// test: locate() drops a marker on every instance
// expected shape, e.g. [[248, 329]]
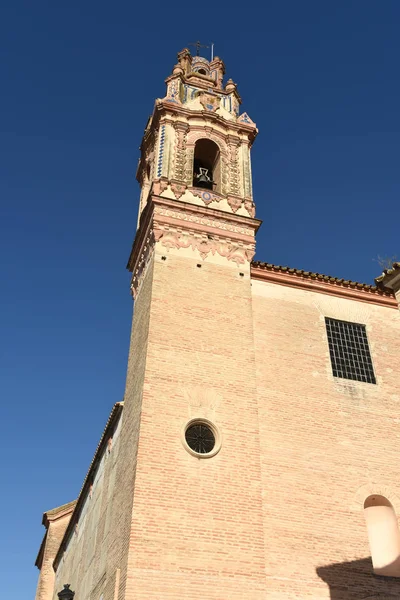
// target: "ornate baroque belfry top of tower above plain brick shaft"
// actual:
[[195, 162]]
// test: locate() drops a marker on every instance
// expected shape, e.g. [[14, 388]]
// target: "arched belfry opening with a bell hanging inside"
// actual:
[[207, 165]]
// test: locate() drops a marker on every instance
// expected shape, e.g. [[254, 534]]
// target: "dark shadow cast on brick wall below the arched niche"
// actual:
[[355, 580]]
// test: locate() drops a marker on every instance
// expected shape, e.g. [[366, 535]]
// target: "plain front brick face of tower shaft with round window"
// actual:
[[197, 523]]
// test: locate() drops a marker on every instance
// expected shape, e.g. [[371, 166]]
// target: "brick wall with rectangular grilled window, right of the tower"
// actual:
[[326, 444]]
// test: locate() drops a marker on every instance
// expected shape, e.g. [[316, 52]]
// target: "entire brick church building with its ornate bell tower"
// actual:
[[255, 453]]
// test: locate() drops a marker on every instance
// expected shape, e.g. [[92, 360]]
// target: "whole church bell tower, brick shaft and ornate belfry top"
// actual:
[[190, 426]]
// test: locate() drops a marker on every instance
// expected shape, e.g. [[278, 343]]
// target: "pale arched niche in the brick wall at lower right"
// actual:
[[383, 535]]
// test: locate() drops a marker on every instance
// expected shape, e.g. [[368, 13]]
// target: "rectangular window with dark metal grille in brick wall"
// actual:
[[349, 351]]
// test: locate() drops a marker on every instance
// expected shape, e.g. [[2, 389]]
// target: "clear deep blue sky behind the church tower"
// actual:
[[78, 82]]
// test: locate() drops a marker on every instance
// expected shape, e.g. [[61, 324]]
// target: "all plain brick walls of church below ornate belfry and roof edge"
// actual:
[[278, 512]]
